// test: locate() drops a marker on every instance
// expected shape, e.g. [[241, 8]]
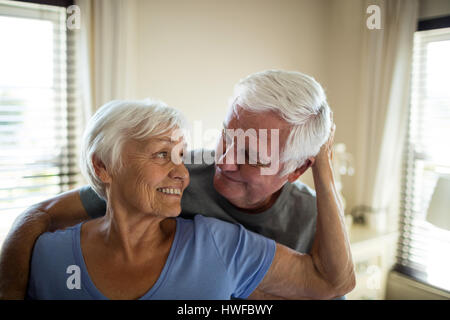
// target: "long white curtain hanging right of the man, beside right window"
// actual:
[[384, 98]]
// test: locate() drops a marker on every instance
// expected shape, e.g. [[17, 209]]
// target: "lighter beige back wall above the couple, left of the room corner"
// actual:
[[193, 52]]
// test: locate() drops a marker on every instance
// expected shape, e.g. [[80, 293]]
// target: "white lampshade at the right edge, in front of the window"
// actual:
[[439, 210]]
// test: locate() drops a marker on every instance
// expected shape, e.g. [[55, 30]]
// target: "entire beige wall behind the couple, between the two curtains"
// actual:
[[191, 53]]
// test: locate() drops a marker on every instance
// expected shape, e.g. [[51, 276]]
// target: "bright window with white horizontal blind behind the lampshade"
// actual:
[[424, 249]]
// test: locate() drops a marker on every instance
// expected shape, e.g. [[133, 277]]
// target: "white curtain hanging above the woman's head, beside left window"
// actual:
[[107, 51]]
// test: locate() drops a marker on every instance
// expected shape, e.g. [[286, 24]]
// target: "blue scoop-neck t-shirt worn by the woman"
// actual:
[[209, 259]]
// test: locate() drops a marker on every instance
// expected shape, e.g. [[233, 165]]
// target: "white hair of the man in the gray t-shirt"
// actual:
[[298, 99]]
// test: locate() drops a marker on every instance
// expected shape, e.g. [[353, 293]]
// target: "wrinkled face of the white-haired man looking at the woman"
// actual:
[[243, 184]]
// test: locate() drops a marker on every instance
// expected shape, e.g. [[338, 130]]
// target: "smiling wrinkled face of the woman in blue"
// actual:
[[150, 181]]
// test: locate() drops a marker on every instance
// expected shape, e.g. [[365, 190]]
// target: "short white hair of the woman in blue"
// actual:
[[117, 122]]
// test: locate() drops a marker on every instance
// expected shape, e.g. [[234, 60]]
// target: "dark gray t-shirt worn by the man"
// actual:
[[290, 221]]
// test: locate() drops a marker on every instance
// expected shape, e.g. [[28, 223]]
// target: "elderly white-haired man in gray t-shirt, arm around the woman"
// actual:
[[274, 205]]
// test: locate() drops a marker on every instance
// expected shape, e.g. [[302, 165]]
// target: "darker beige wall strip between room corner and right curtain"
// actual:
[[344, 24]]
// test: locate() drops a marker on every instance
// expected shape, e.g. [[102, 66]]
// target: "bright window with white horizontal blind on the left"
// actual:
[[38, 113]]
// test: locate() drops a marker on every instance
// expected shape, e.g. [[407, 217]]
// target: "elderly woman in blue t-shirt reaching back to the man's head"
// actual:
[[141, 250]]
